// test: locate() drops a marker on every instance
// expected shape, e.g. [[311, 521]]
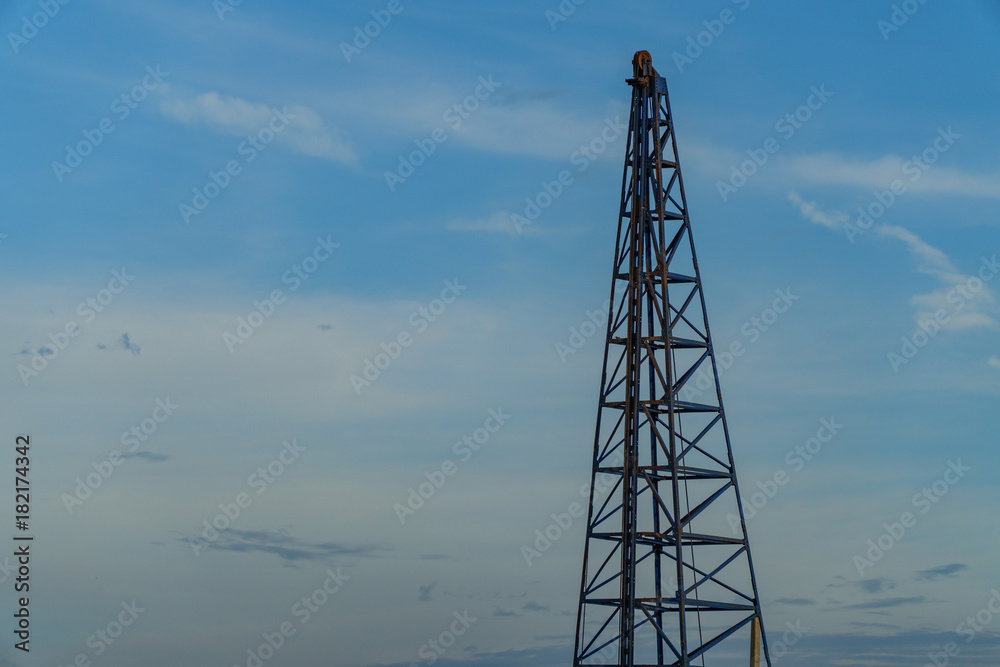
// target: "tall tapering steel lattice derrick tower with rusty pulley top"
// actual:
[[667, 573]]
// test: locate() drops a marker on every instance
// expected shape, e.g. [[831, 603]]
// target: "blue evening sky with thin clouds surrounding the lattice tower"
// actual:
[[488, 308]]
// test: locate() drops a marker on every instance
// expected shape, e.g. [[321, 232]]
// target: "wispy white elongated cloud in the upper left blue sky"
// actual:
[[306, 132]]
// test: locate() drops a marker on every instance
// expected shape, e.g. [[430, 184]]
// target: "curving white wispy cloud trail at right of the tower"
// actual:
[[977, 305]]
